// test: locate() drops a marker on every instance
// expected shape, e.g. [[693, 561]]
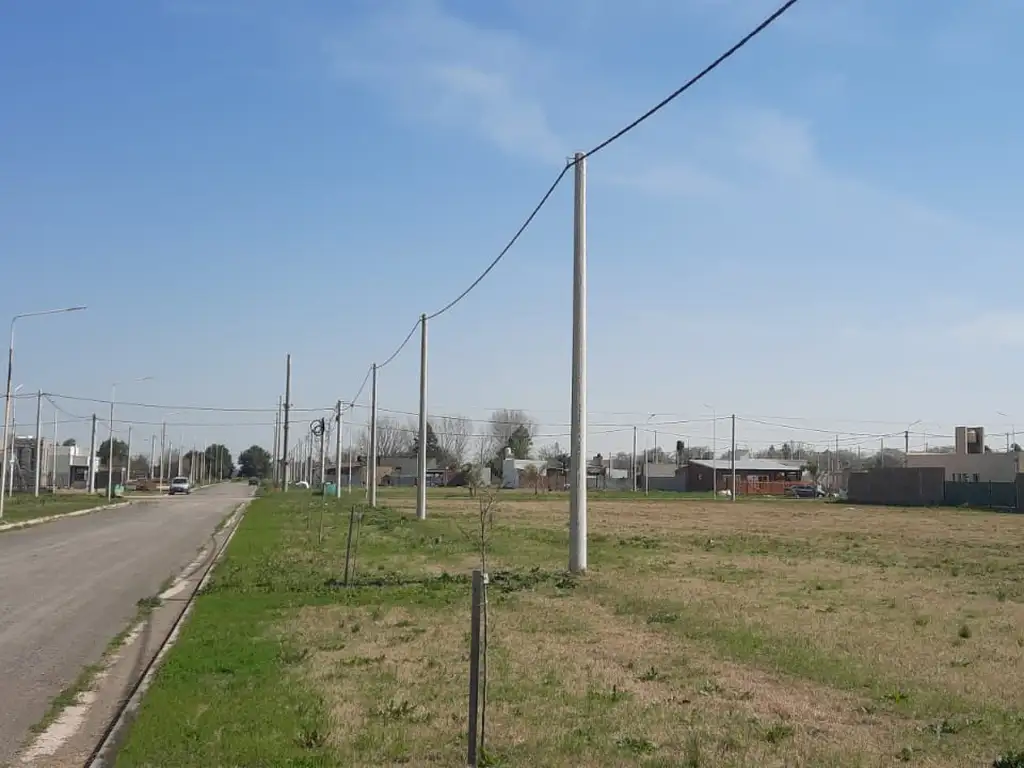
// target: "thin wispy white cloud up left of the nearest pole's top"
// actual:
[[438, 67]]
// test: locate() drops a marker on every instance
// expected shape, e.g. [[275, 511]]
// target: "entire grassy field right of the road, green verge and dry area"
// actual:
[[706, 634]]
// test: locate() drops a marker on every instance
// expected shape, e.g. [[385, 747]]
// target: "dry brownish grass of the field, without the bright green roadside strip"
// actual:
[[706, 634]]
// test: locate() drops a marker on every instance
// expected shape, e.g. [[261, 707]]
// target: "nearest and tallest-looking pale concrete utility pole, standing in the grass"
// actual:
[[578, 440]]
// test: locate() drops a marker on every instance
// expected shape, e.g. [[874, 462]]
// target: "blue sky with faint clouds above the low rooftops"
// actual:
[[824, 232]]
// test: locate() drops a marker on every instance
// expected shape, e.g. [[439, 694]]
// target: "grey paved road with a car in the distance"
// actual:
[[68, 587]]
